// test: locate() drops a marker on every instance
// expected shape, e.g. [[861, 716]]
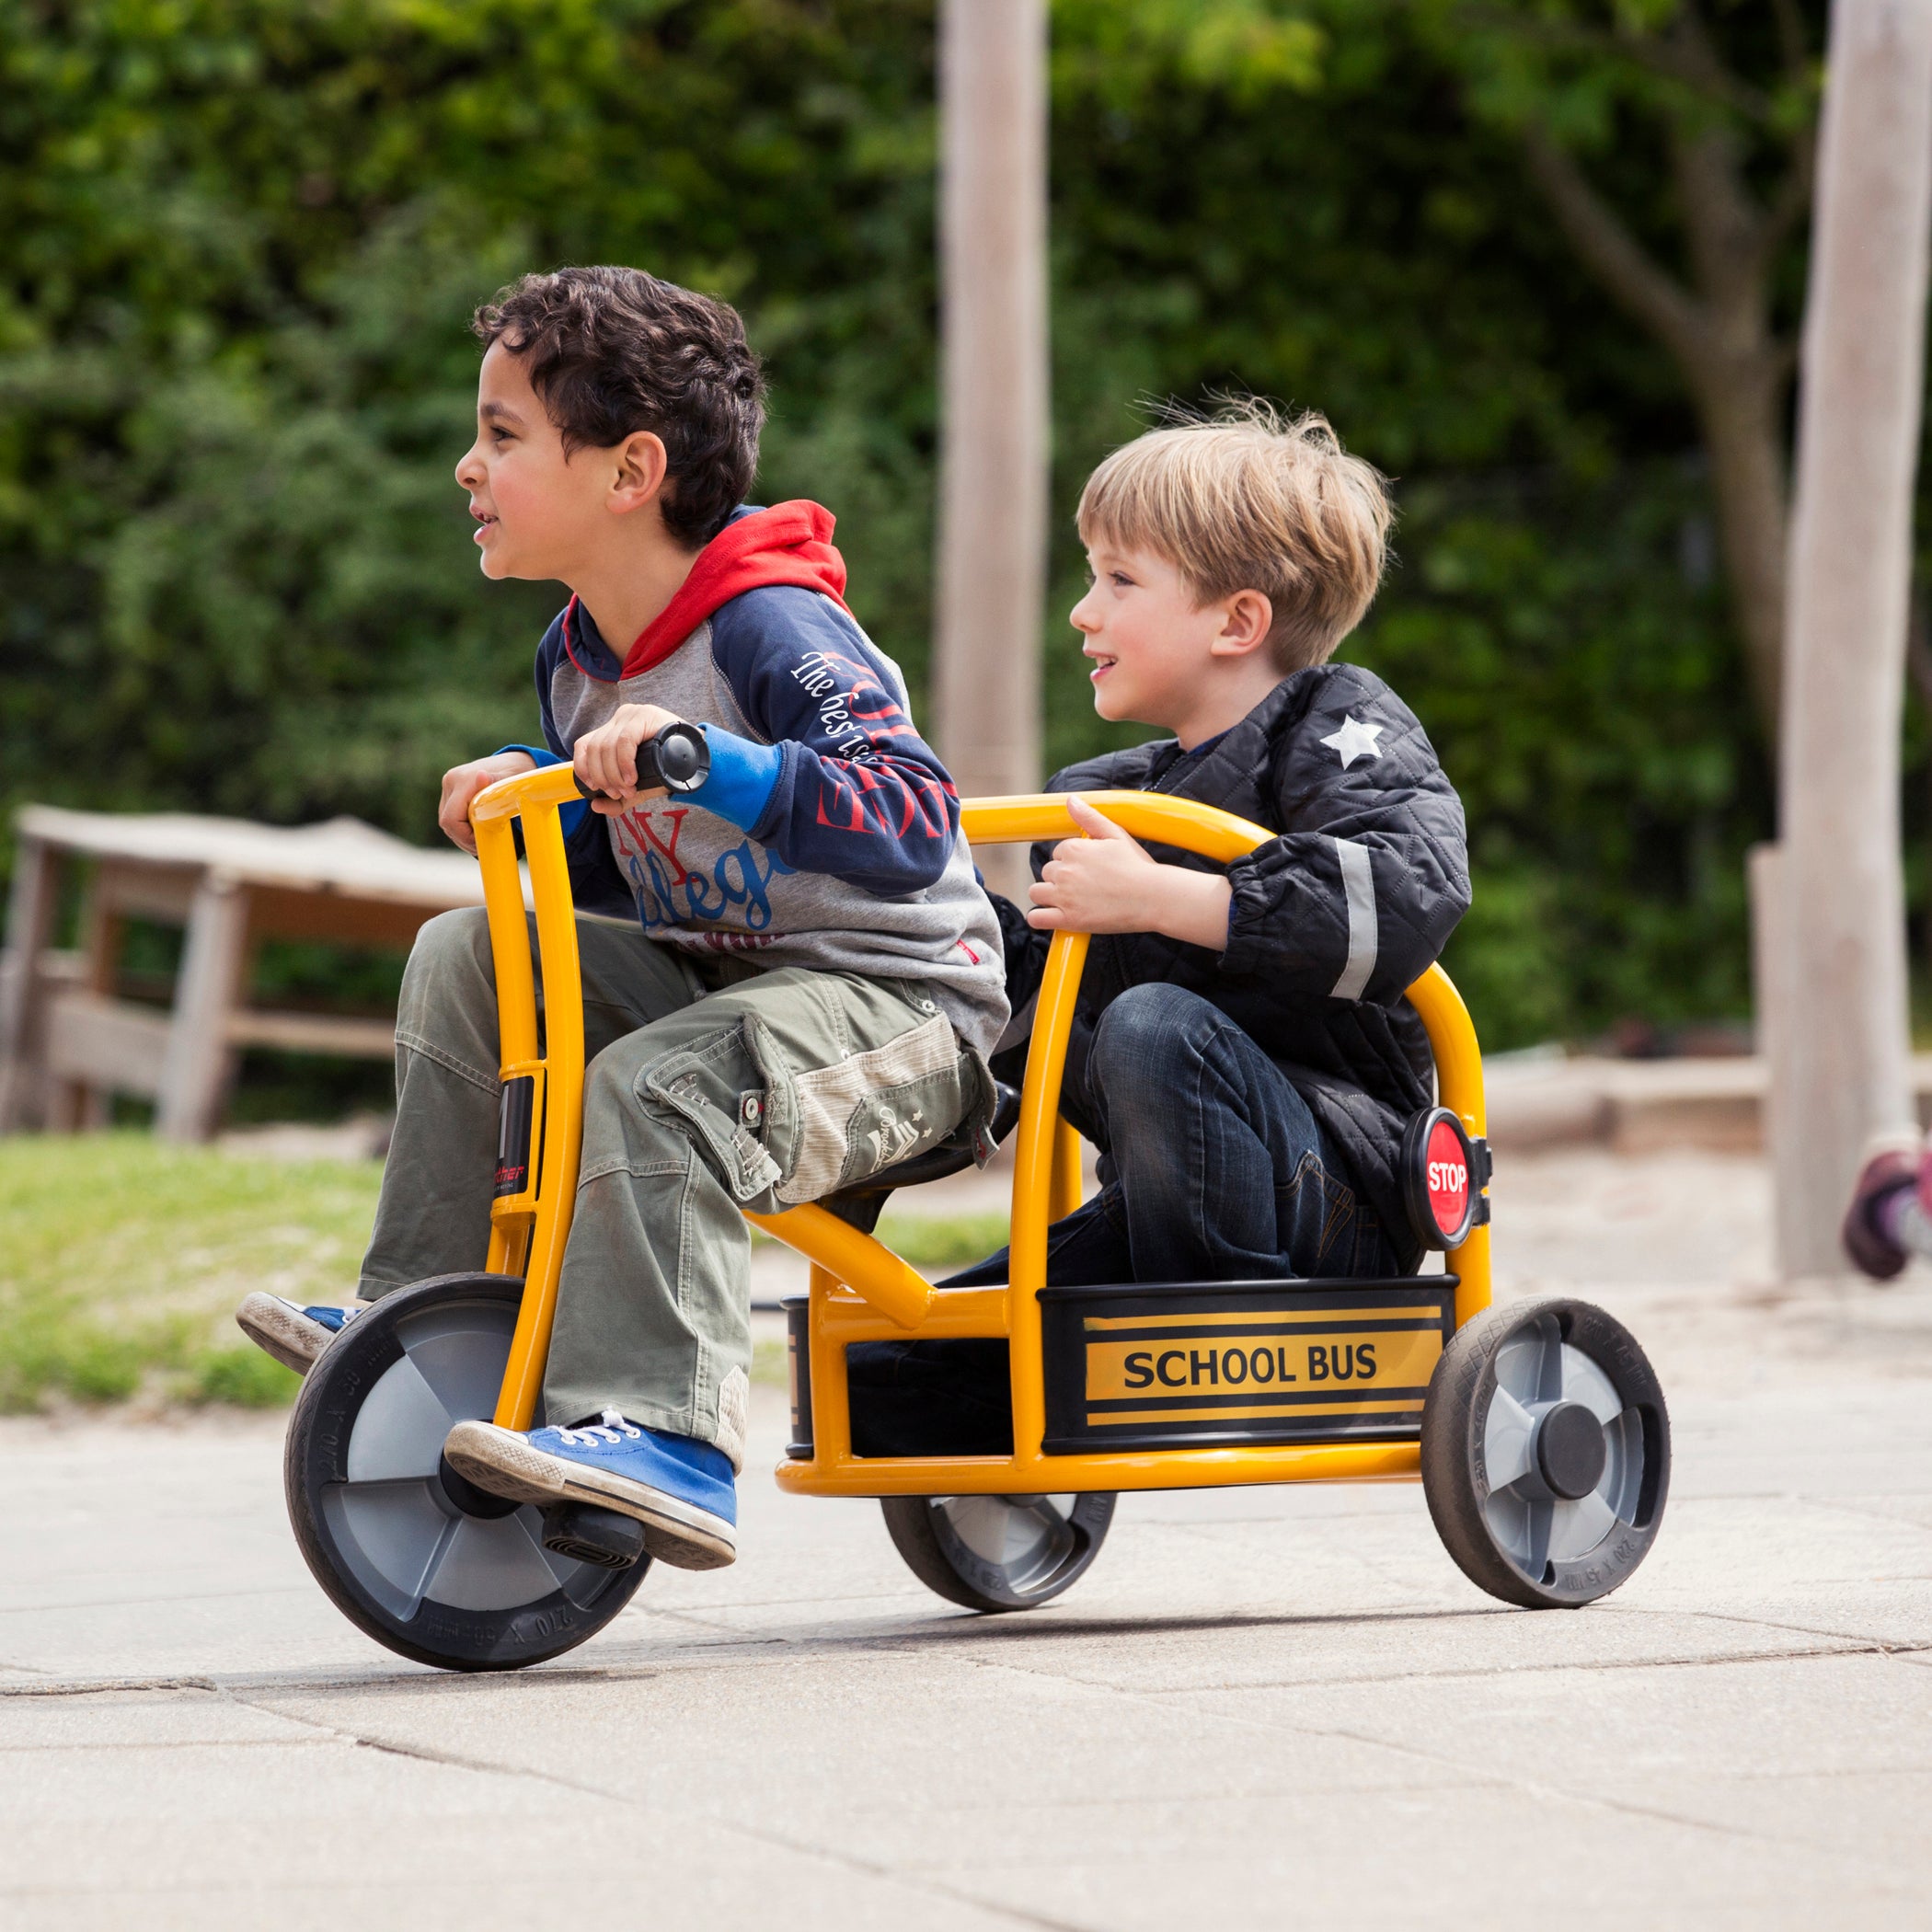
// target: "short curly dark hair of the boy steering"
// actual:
[[617, 351]]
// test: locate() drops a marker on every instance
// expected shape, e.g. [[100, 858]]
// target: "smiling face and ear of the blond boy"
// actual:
[[1149, 640]]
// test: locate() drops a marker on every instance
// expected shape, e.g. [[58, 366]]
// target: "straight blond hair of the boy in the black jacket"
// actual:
[[1253, 501]]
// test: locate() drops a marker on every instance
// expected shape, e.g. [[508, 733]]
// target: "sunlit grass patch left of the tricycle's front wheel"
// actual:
[[125, 1261]]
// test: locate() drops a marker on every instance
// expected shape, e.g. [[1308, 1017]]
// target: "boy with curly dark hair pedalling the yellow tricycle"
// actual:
[[807, 980]]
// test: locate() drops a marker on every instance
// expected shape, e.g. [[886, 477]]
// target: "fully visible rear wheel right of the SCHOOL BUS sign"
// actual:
[[1547, 1452]]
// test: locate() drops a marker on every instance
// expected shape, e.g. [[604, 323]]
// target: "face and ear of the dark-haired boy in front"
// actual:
[[540, 513]]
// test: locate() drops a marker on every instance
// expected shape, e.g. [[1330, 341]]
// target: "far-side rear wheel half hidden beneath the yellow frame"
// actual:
[[1000, 1552]]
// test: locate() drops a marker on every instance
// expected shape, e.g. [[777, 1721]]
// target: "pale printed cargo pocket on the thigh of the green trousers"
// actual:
[[841, 1123]]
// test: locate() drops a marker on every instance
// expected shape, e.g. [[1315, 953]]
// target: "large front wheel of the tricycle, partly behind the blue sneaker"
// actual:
[[424, 1562]]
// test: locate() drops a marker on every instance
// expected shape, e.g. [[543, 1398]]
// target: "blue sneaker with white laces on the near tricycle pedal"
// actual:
[[681, 1491]]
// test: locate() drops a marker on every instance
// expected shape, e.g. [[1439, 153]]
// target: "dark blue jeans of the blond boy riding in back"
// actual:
[[1216, 1170]]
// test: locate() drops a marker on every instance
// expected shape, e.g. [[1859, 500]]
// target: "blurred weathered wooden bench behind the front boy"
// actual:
[[69, 1040]]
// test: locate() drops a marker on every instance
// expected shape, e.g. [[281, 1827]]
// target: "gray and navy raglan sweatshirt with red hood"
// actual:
[[828, 834]]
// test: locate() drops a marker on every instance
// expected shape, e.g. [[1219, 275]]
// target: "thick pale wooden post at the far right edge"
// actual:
[[1842, 1050]]
